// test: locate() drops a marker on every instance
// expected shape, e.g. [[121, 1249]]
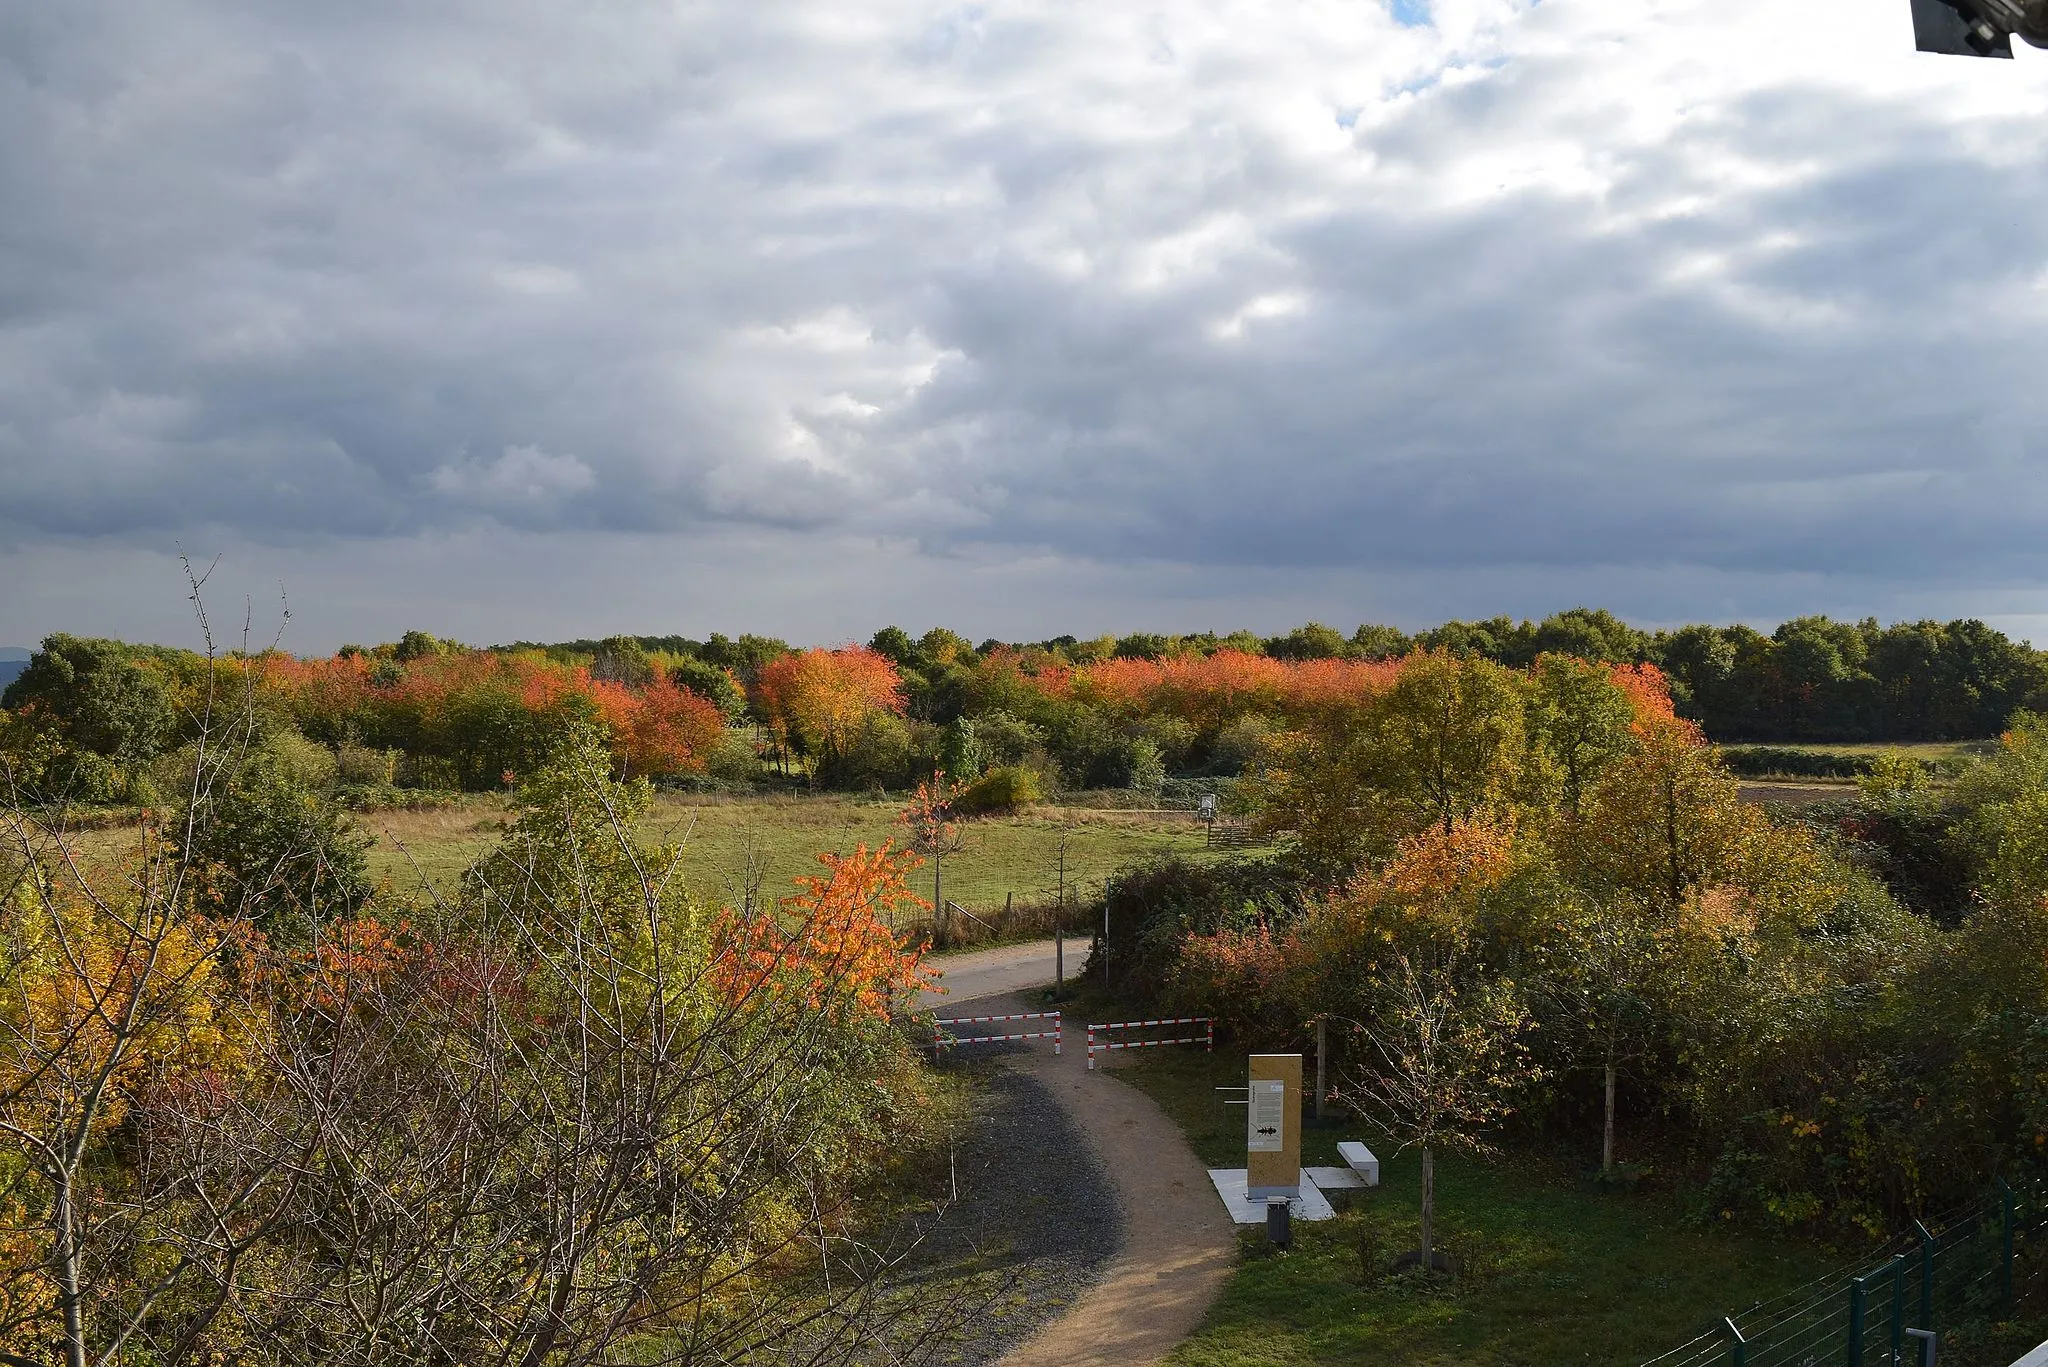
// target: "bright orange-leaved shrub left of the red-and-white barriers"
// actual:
[[835, 940]]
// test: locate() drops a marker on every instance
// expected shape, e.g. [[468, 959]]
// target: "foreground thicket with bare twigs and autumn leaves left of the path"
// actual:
[[570, 1114]]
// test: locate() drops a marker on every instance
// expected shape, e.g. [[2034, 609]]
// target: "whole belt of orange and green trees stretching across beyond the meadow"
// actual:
[[116, 722]]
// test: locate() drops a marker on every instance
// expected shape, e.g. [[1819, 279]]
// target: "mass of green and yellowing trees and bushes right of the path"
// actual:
[[1824, 1020]]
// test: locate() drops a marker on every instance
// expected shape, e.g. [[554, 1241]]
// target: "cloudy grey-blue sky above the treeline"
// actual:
[[517, 319]]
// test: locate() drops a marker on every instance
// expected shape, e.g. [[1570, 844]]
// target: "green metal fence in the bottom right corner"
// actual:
[[1949, 1270]]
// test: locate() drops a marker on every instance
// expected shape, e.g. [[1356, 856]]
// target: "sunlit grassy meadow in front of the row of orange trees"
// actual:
[[783, 837]]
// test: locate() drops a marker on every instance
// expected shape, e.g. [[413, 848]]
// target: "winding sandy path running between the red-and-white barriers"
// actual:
[[1179, 1243]]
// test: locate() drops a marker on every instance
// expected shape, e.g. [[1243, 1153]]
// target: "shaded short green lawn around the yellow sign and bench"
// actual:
[[1555, 1270]]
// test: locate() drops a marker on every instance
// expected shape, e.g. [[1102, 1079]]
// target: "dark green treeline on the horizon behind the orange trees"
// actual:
[[1814, 679]]
